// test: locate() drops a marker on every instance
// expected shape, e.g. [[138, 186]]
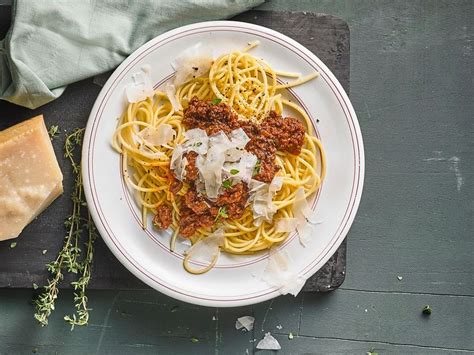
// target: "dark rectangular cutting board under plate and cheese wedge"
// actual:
[[326, 36]]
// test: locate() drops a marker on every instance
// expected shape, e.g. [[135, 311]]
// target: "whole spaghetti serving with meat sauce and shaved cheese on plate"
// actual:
[[221, 156]]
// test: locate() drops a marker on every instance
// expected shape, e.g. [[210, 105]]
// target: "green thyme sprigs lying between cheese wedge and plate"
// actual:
[[69, 258]]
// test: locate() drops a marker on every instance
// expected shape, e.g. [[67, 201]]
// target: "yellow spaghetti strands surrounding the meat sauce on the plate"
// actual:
[[150, 131]]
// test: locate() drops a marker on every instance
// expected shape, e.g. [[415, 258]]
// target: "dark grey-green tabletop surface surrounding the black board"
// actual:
[[412, 88]]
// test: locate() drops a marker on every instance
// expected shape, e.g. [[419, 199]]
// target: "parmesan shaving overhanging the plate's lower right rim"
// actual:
[[279, 273]]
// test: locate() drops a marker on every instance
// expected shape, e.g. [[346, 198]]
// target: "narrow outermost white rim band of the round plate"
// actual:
[[310, 269]]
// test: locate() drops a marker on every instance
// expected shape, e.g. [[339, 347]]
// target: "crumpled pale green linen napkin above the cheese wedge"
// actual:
[[51, 44]]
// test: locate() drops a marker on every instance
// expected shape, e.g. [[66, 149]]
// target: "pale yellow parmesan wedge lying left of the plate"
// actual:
[[30, 178]]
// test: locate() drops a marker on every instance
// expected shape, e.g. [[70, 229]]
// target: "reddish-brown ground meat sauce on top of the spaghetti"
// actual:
[[275, 133]]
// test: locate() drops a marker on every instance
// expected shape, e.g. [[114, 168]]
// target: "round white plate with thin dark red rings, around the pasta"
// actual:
[[235, 280]]
